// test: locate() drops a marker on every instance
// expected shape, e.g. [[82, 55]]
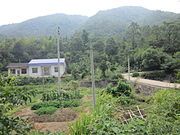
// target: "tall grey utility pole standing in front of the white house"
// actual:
[[58, 53]]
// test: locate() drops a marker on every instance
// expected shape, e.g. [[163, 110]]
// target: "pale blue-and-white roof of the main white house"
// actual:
[[46, 61]]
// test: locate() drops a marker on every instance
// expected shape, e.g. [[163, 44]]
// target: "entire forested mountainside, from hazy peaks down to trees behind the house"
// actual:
[[150, 43]]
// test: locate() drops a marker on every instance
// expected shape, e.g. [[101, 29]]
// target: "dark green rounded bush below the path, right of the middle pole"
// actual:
[[121, 89]]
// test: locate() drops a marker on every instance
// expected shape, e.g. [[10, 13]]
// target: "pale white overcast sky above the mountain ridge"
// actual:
[[14, 11]]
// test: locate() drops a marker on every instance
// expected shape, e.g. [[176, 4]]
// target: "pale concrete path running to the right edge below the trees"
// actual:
[[152, 82]]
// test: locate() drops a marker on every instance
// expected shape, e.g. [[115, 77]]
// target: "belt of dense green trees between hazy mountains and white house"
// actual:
[[149, 47]]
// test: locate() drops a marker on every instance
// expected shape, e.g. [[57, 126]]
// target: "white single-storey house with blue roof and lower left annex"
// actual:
[[38, 68]]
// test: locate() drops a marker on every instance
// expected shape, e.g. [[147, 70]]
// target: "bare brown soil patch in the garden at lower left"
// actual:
[[59, 121]]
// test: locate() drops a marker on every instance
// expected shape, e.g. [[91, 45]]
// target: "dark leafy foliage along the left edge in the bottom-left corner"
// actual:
[[11, 96]]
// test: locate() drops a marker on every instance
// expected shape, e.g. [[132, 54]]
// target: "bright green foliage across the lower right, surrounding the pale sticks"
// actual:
[[162, 117]]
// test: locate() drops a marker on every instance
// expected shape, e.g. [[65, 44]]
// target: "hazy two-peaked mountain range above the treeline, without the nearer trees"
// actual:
[[107, 22]]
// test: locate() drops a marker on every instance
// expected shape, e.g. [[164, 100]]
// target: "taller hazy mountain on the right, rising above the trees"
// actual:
[[116, 20]]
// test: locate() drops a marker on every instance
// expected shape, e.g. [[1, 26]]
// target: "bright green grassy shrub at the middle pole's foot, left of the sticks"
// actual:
[[90, 124]]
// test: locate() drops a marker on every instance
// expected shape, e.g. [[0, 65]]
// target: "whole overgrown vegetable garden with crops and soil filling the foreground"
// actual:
[[39, 109]]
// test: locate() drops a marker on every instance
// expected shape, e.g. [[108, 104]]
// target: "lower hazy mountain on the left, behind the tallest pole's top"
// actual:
[[44, 26]]
